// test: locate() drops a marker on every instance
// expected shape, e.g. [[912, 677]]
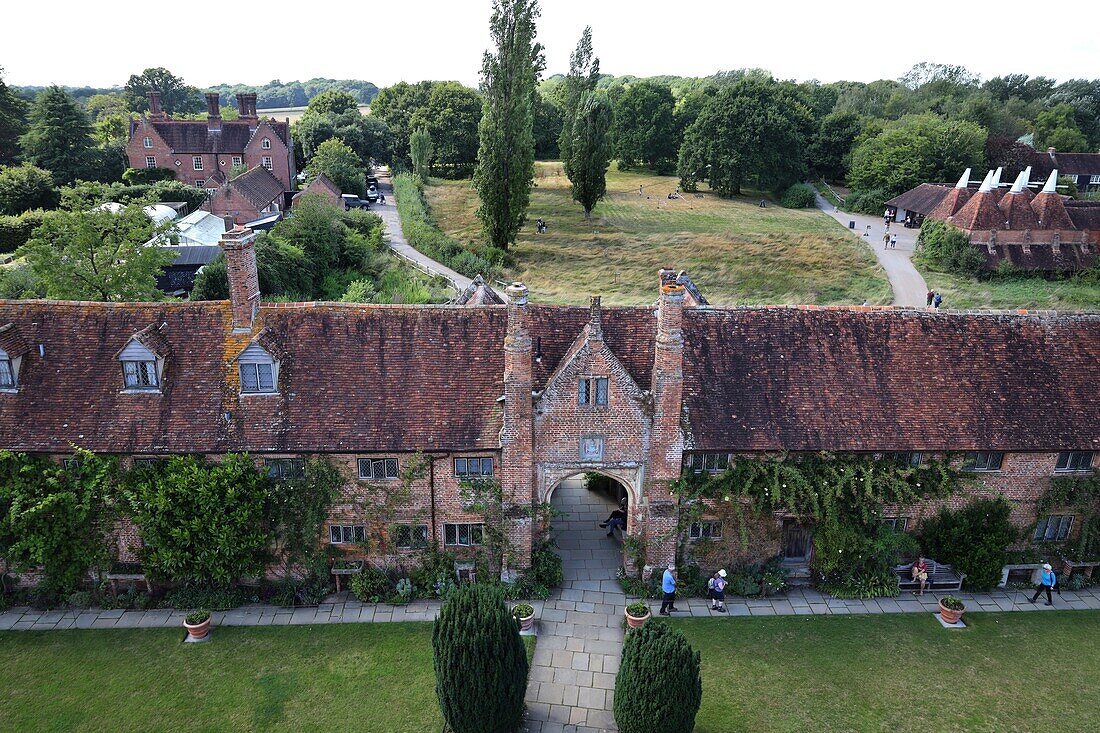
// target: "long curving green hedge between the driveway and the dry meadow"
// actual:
[[423, 234]]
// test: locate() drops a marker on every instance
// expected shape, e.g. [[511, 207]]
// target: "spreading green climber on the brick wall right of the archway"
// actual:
[[842, 495]]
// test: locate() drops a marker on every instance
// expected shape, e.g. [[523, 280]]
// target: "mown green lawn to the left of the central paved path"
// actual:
[[345, 677]]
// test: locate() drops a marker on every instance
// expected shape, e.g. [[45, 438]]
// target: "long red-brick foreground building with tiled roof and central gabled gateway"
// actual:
[[533, 395]]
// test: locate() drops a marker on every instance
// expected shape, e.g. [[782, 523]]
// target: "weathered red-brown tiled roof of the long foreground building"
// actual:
[[367, 378]]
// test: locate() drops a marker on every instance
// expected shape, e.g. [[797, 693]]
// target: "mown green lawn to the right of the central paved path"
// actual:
[[1008, 672]]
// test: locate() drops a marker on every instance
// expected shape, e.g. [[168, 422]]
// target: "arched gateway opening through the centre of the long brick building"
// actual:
[[589, 555]]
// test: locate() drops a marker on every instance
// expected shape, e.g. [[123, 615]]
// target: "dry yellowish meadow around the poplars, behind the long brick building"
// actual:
[[735, 251]]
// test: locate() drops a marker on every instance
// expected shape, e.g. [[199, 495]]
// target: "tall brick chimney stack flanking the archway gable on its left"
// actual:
[[518, 441]]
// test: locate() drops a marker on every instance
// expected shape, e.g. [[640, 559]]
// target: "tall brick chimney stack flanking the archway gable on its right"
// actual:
[[666, 441]]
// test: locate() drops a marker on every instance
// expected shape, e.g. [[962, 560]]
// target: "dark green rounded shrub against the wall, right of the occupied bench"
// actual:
[[973, 540]]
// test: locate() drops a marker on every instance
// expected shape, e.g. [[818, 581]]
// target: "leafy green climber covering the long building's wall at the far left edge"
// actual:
[[57, 517]]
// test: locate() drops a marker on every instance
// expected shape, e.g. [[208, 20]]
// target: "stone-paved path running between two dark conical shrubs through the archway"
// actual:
[[573, 682]]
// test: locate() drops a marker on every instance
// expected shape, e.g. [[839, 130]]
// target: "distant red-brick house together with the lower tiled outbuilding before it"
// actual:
[[246, 165]]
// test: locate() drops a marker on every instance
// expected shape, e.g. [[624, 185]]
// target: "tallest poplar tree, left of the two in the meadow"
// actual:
[[507, 157]]
